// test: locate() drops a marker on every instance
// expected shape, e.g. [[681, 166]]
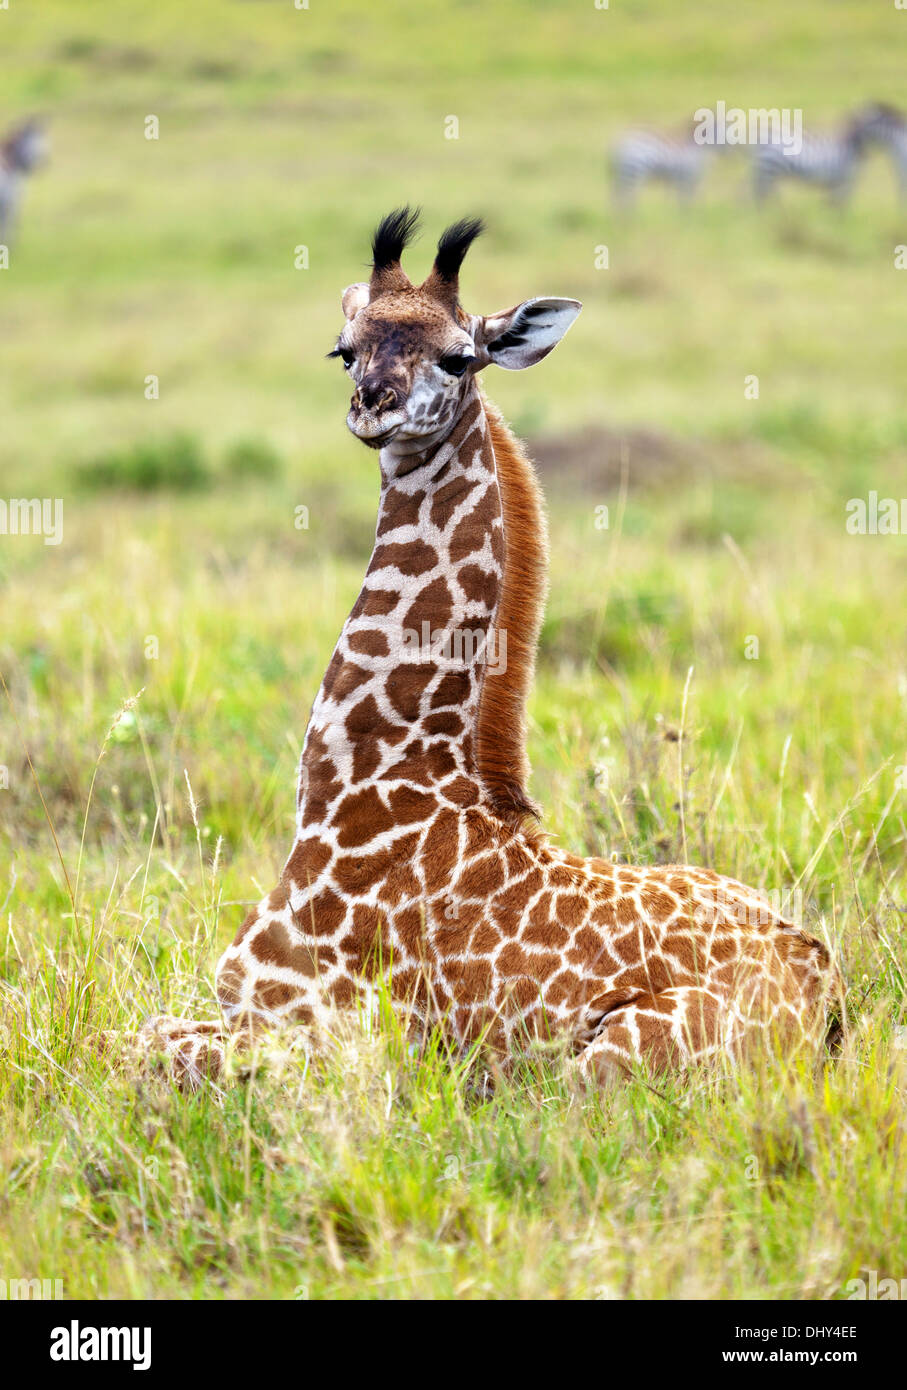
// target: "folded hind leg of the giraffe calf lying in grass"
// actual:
[[665, 1032]]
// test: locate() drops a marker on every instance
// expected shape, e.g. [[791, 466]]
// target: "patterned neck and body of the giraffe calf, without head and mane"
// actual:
[[402, 867]]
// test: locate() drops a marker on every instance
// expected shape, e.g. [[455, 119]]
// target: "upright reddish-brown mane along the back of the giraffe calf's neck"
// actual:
[[502, 721]]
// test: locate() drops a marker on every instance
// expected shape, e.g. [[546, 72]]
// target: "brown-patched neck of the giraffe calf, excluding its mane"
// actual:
[[399, 707]]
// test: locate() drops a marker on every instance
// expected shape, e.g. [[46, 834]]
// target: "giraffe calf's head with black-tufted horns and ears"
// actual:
[[413, 351]]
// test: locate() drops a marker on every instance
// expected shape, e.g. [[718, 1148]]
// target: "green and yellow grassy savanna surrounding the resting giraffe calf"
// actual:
[[723, 673]]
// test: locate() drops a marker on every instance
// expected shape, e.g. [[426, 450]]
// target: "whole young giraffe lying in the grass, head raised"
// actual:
[[419, 856]]
